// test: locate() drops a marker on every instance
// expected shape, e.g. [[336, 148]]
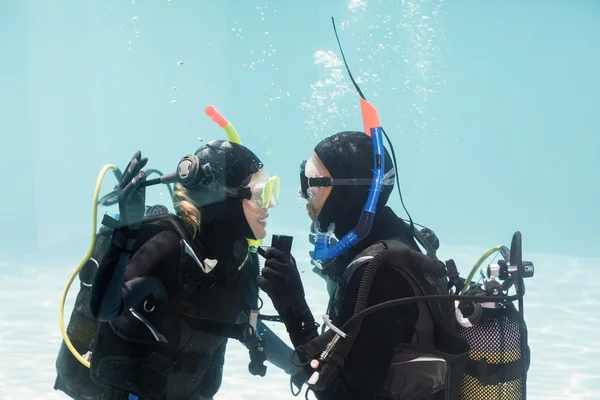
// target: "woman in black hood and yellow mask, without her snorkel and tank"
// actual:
[[171, 290]]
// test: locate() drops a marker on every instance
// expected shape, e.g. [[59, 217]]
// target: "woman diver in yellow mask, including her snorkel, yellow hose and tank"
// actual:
[[219, 214]]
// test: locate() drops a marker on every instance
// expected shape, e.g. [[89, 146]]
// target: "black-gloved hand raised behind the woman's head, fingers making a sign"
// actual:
[[131, 195]]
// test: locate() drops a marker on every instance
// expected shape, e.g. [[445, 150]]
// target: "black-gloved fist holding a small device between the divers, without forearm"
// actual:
[[281, 280]]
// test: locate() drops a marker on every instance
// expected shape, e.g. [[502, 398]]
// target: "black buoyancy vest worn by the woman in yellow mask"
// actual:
[[174, 347]]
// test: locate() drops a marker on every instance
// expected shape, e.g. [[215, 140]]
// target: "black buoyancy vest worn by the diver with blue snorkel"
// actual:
[[432, 366]]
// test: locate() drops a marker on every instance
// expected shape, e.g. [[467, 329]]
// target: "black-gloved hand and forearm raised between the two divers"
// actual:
[[281, 280]]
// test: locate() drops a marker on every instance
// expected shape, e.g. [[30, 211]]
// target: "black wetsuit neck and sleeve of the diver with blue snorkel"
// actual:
[[368, 361]]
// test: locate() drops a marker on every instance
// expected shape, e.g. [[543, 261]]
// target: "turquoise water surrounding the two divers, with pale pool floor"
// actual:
[[491, 107]]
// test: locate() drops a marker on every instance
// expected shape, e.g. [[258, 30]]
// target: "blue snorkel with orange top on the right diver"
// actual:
[[365, 222]]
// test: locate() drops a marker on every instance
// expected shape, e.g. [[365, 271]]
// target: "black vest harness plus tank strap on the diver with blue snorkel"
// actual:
[[437, 358]]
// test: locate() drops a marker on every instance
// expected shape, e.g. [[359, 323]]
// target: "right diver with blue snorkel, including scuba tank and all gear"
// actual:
[[394, 332]]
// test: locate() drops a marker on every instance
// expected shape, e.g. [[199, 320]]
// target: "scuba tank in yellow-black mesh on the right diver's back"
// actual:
[[496, 331]]
